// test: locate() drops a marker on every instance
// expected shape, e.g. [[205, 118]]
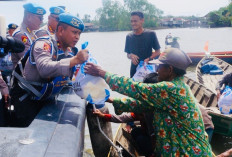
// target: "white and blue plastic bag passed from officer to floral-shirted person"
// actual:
[[91, 88]]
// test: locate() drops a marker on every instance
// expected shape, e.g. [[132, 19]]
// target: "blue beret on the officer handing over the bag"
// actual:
[[72, 21]]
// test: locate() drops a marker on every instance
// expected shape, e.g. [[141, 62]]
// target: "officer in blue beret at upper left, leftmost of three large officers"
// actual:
[[33, 17]]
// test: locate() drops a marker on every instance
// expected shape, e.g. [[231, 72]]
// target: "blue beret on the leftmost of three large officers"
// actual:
[[35, 9]]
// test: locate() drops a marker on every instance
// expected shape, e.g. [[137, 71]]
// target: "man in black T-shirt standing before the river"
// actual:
[[140, 42]]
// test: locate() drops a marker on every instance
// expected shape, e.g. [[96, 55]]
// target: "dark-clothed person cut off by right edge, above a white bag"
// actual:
[[225, 81]]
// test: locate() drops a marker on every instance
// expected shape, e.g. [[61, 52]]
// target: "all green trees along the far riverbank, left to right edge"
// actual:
[[114, 16]]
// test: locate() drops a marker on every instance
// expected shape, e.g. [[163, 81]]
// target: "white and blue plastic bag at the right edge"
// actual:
[[225, 101]]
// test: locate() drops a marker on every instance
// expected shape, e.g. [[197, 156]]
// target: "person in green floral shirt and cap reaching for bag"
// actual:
[[178, 124]]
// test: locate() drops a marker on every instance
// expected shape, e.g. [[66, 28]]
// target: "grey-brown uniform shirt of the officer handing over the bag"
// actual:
[[45, 68]]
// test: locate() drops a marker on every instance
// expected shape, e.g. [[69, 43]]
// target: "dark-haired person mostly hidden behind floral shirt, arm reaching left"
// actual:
[[144, 135]]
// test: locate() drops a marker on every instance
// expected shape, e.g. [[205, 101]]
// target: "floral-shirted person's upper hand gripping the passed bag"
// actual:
[[94, 70]]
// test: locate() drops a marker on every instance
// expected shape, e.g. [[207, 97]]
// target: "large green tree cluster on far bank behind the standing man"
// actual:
[[113, 16]]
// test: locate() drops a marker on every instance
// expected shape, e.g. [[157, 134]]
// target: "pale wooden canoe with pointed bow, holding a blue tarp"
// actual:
[[210, 81]]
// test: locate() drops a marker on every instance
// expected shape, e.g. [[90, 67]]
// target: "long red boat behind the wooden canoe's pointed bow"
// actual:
[[224, 55]]
